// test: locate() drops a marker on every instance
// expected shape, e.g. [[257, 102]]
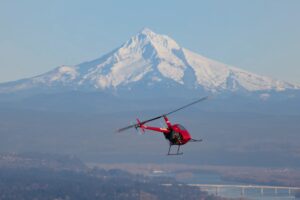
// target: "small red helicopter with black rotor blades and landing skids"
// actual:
[[176, 134]]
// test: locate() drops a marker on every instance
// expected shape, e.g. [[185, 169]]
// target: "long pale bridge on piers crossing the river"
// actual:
[[243, 188]]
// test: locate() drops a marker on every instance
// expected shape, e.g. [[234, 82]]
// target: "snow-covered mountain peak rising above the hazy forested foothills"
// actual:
[[151, 60]]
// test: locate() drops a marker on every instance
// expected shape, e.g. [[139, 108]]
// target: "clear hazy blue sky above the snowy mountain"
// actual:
[[260, 36]]
